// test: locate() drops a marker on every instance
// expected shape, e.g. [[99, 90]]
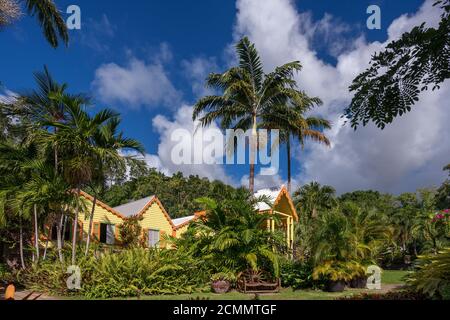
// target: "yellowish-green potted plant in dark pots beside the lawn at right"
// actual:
[[335, 274]]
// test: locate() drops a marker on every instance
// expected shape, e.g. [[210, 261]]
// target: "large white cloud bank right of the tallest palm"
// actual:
[[408, 154]]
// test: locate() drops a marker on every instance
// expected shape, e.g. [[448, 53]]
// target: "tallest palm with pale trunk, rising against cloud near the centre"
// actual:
[[247, 93]]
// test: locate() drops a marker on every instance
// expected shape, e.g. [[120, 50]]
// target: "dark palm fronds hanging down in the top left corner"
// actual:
[[48, 16]]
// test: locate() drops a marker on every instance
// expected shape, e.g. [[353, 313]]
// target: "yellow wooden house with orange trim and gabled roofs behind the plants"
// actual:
[[156, 222]]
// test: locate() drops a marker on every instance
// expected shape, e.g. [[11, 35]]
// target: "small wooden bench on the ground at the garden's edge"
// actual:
[[252, 281]]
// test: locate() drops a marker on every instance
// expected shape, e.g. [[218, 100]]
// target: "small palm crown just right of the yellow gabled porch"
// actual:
[[312, 197]]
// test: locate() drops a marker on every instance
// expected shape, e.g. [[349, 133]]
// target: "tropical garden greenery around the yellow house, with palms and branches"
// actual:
[[54, 144]]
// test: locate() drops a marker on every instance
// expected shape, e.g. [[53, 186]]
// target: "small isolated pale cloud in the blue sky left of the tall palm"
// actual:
[[136, 84]]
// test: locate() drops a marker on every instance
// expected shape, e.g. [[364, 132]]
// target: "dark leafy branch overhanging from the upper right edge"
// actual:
[[391, 85]]
